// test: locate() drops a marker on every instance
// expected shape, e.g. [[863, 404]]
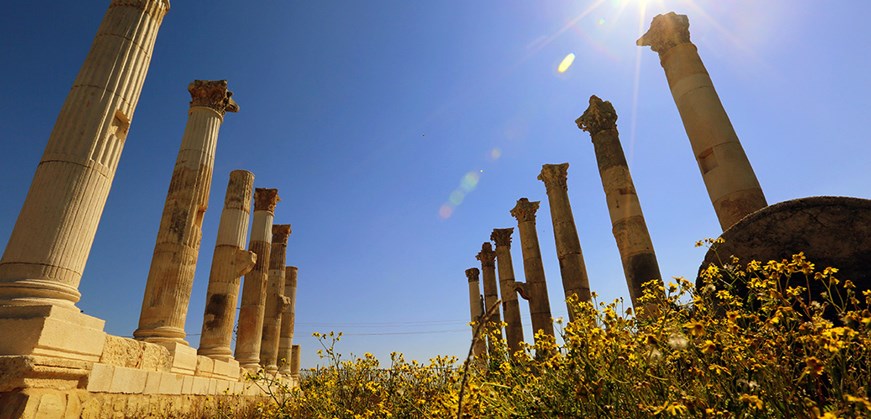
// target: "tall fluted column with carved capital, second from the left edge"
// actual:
[[171, 277]]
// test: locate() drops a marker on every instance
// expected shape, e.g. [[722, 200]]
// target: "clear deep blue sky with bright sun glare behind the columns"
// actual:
[[368, 115]]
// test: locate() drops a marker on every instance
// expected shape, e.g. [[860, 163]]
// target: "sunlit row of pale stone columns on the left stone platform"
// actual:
[[42, 264]]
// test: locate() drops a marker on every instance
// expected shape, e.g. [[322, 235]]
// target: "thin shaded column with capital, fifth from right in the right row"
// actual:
[[510, 305]]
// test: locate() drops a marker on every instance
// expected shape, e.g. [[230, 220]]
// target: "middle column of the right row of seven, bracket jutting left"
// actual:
[[535, 288]]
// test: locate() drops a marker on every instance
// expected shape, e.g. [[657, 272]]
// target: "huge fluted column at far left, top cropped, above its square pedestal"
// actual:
[[49, 245]]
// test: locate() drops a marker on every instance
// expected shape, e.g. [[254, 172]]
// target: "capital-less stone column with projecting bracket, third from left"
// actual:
[[229, 263]]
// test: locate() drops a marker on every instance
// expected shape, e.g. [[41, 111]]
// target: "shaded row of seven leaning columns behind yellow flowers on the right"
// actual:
[[728, 176]]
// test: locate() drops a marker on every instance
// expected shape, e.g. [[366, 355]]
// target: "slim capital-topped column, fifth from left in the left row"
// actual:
[[276, 301]]
